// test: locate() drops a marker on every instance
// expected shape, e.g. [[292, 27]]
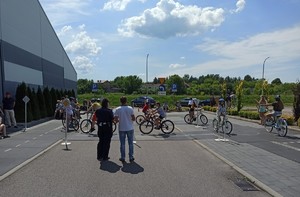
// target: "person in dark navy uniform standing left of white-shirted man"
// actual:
[[104, 121]]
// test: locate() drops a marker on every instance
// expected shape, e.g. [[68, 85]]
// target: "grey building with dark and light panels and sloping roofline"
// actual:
[[30, 50]]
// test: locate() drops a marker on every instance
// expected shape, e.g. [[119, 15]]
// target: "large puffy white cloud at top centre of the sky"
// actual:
[[170, 18]]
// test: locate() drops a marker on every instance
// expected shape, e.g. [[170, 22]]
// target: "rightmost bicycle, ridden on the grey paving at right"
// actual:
[[278, 123]]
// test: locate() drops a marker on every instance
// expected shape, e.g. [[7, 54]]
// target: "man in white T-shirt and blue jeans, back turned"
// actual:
[[125, 116]]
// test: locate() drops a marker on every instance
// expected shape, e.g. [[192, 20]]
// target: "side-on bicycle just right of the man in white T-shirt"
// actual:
[[147, 126]]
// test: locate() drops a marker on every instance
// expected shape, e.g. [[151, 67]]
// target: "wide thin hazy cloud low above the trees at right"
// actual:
[[248, 55]]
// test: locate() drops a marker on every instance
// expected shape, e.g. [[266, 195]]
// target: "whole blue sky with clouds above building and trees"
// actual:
[[110, 38]]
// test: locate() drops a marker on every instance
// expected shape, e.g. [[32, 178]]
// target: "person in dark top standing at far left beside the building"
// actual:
[[8, 107]]
